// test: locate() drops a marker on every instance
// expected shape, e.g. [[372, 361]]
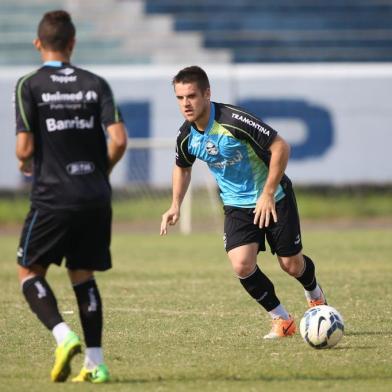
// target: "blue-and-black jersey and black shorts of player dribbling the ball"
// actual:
[[235, 146]]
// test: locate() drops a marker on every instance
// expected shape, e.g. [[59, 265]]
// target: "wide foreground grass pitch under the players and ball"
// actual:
[[177, 320]]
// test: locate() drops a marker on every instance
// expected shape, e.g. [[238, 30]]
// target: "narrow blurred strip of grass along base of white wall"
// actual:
[[148, 206]]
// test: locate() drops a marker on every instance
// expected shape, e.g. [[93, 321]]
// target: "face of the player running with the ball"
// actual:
[[194, 104]]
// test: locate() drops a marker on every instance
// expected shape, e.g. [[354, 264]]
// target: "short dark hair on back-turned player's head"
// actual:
[[56, 30]]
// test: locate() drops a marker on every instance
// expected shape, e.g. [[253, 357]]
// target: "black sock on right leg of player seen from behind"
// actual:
[[90, 312]]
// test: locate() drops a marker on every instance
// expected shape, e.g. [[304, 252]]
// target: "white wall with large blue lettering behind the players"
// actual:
[[336, 117]]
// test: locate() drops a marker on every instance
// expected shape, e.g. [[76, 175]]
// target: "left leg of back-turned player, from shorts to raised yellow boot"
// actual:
[[40, 244]]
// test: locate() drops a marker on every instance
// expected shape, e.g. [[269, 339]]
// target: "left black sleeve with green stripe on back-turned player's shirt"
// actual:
[[24, 106]]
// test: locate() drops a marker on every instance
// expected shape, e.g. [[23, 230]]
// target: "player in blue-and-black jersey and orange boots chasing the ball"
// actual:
[[248, 160]]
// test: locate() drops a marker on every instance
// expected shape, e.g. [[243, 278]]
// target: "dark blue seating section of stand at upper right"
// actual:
[[286, 30]]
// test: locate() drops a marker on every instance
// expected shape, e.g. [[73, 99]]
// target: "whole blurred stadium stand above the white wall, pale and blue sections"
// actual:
[[214, 31]]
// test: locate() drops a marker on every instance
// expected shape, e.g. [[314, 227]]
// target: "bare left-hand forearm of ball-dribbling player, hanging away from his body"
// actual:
[[181, 181]]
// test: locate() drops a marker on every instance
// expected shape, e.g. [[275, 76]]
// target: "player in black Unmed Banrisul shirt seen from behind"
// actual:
[[63, 117]]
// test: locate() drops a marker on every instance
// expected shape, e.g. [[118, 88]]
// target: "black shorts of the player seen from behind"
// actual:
[[82, 237]]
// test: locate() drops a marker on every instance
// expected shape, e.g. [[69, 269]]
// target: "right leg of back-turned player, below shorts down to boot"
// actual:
[[90, 313]]
